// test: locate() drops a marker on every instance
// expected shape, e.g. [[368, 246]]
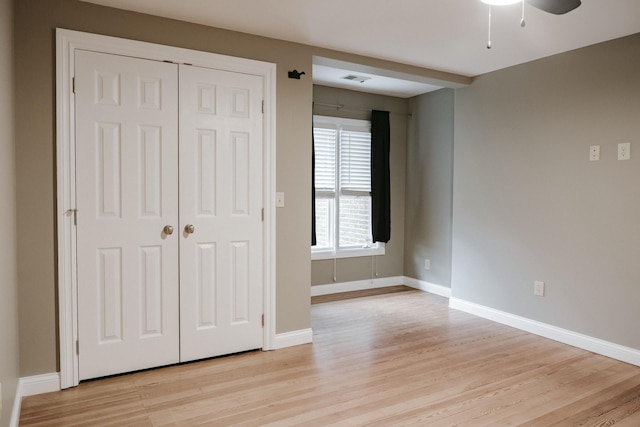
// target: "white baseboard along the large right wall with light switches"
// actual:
[[585, 342]]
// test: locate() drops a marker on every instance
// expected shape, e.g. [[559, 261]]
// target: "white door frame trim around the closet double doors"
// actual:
[[67, 42]]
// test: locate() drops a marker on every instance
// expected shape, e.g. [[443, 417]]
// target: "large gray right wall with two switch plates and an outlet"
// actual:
[[527, 203]]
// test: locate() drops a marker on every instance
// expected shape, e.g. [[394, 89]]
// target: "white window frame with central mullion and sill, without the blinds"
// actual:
[[377, 248]]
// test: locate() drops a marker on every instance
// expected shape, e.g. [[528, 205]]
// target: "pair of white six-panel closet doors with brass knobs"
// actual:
[[169, 198]]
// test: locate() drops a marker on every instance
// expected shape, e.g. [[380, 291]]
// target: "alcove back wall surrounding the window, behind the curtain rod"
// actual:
[[359, 106]]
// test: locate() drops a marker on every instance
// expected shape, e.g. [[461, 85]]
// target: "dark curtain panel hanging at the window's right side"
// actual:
[[380, 192]]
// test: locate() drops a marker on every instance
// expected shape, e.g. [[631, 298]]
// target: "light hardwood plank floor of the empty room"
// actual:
[[385, 359]]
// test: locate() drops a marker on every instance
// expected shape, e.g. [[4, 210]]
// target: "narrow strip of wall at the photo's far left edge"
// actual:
[[9, 356]]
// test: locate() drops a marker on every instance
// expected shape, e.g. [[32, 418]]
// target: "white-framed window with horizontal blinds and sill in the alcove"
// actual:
[[343, 188]]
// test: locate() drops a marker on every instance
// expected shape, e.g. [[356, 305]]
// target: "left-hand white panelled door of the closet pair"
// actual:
[[127, 184]]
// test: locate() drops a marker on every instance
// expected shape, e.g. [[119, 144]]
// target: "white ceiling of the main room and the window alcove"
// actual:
[[445, 35]]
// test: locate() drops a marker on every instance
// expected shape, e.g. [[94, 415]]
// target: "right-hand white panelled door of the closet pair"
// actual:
[[221, 198]]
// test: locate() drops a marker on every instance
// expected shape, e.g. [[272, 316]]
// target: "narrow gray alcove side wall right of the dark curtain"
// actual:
[[429, 186]]
